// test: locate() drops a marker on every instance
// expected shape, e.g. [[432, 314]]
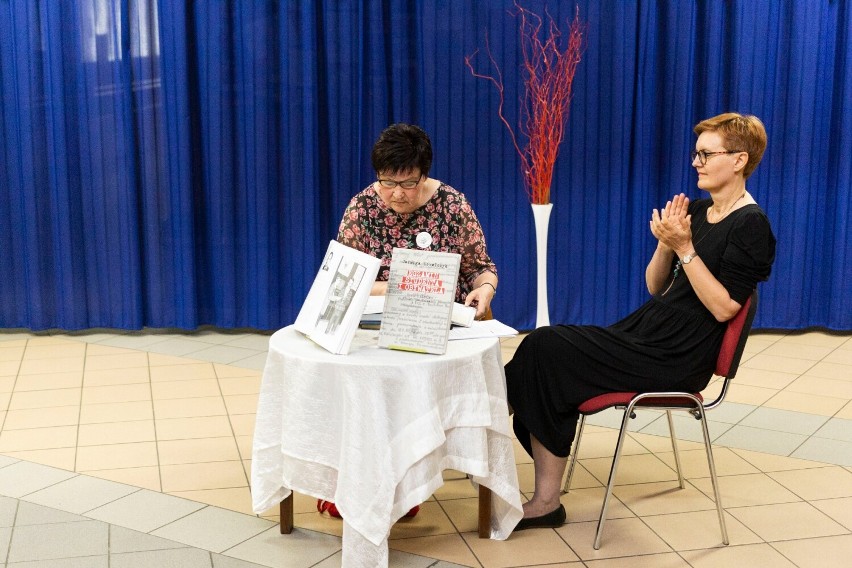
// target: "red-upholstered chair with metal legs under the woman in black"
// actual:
[[727, 363]]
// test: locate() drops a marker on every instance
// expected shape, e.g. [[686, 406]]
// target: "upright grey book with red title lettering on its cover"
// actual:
[[419, 303]]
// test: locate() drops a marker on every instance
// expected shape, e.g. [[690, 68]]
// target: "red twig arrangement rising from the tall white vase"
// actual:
[[548, 75]]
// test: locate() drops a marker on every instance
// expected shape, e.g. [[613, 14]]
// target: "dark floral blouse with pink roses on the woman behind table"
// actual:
[[371, 226]]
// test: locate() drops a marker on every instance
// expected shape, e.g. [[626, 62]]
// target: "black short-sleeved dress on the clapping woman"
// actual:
[[670, 343]]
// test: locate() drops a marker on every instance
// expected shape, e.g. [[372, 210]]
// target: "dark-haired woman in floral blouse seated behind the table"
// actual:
[[406, 208]]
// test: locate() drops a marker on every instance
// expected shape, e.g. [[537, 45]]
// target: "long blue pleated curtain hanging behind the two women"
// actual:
[[174, 164]]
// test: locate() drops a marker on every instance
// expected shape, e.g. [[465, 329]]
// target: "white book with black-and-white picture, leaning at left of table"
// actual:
[[331, 311]]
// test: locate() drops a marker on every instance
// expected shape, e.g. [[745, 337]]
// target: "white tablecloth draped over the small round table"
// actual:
[[373, 430]]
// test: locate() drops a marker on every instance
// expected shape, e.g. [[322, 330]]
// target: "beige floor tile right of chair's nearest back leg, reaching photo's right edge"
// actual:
[[787, 521]]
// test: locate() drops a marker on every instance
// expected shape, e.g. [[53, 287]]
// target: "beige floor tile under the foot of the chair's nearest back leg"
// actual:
[[698, 530]]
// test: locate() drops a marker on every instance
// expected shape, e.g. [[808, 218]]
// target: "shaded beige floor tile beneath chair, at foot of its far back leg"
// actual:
[[662, 498]]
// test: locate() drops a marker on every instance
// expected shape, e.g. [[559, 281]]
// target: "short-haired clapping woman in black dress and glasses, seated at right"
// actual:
[[710, 255]]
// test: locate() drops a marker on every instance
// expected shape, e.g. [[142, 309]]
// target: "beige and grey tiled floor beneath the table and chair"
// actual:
[[133, 449]]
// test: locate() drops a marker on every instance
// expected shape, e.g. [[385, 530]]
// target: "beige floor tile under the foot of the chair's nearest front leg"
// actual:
[[621, 537]]
